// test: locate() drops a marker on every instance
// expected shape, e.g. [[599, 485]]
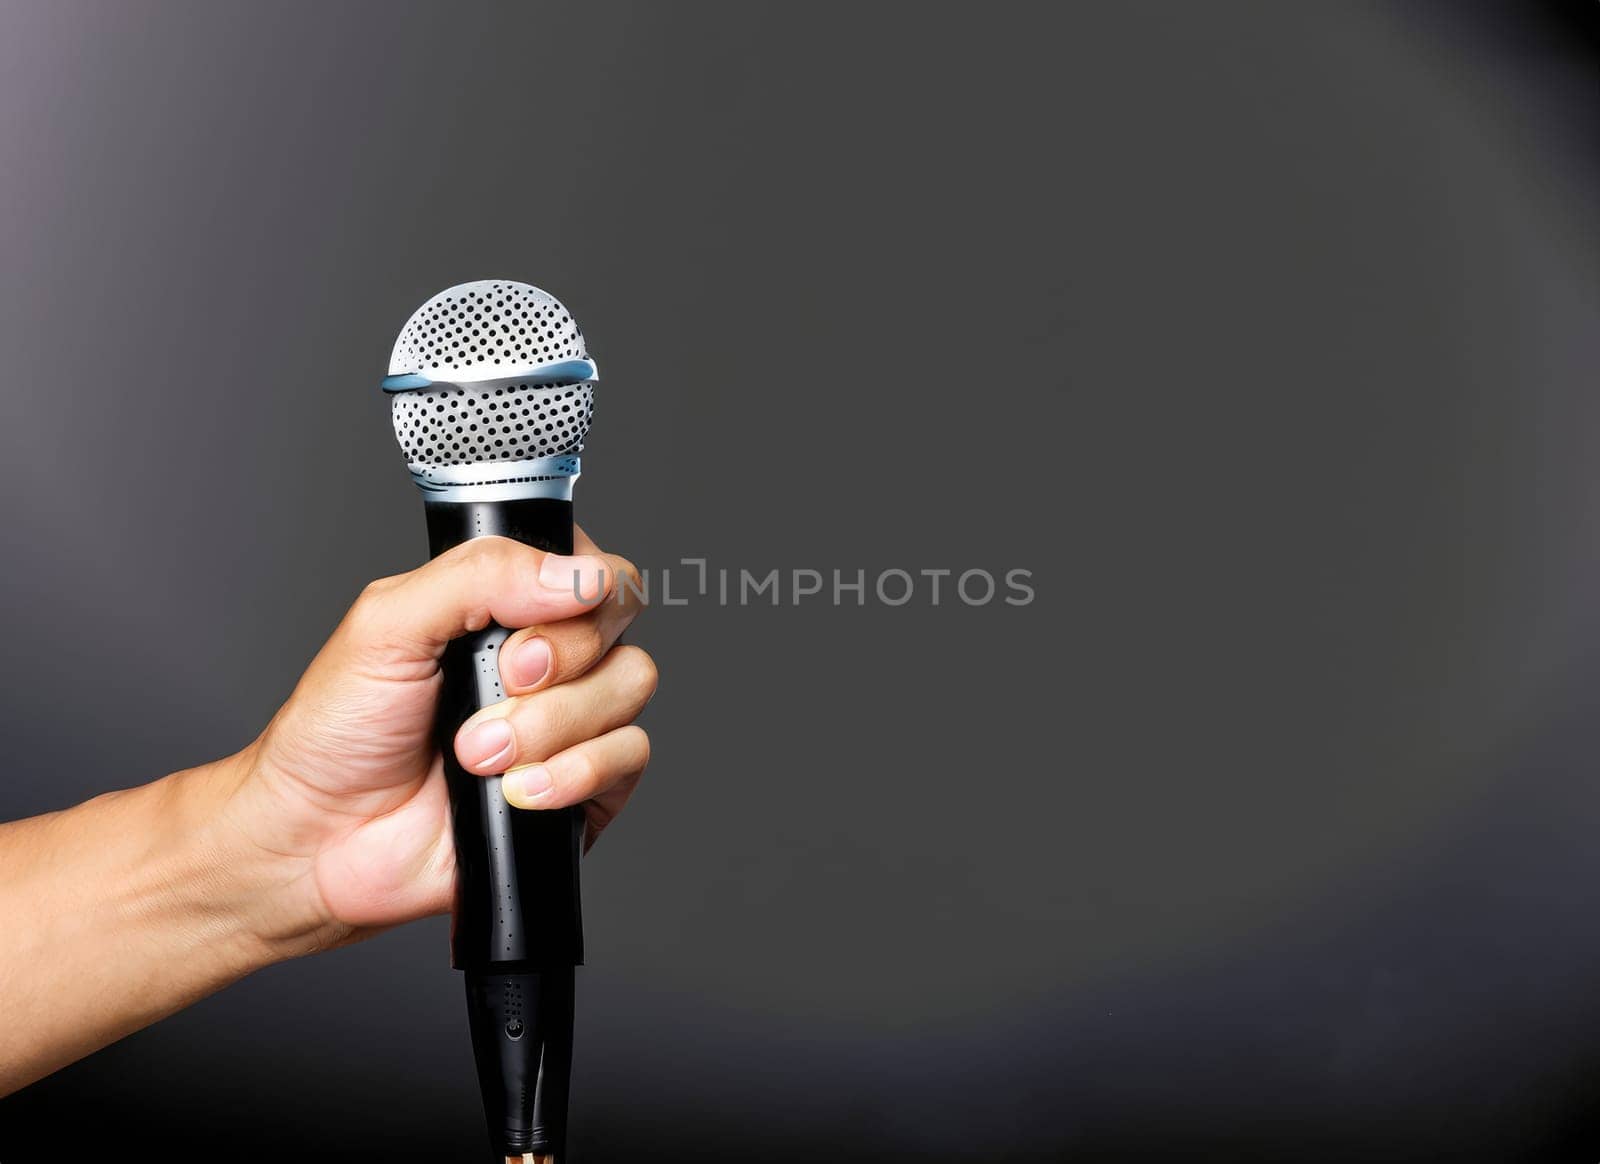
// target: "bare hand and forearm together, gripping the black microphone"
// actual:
[[334, 824]]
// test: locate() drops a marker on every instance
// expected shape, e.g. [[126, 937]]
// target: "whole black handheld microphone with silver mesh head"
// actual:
[[492, 396]]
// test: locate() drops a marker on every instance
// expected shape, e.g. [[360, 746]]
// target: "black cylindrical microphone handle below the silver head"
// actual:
[[518, 922]]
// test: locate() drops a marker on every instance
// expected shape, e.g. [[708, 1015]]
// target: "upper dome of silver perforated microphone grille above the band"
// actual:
[[490, 329]]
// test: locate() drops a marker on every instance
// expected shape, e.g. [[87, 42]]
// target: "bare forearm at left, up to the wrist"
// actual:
[[122, 911]]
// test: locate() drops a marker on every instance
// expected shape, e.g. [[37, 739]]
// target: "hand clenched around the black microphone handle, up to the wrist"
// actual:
[[345, 791]]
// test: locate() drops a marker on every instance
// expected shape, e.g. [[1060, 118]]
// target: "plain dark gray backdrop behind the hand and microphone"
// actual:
[[1265, 335]]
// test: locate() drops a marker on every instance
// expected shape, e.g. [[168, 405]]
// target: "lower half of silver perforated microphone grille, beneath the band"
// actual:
[[458, 426]]
